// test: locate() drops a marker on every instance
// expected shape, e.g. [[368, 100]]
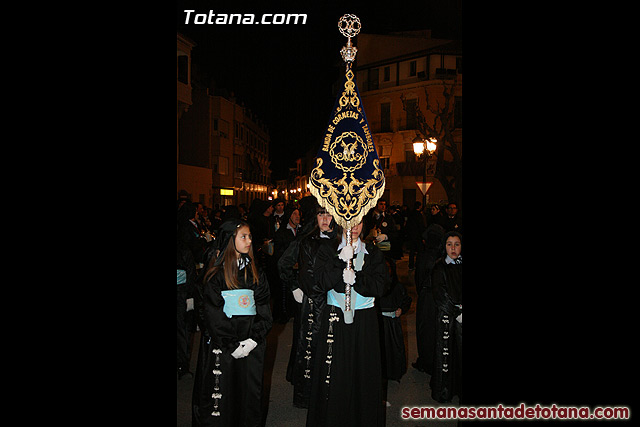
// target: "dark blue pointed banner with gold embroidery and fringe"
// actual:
[[347, 179]]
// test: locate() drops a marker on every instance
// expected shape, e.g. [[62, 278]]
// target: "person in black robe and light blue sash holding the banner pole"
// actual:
[[346, 385]]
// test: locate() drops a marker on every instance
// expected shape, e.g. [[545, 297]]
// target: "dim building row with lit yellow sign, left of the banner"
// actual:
[[223, 150]]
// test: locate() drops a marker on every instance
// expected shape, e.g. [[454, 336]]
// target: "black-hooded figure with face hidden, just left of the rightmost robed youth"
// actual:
[[425, 306]]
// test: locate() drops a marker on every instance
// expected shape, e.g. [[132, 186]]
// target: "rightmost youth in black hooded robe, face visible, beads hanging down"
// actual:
[[446, 278]]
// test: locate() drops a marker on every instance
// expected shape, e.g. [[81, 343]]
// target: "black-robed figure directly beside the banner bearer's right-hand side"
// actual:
[[392, 305]]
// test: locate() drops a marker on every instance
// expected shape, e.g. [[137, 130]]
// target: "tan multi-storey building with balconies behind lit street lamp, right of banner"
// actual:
[[413, 67]]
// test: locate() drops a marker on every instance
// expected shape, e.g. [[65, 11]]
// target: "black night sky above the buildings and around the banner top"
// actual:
[[285, 73]]
